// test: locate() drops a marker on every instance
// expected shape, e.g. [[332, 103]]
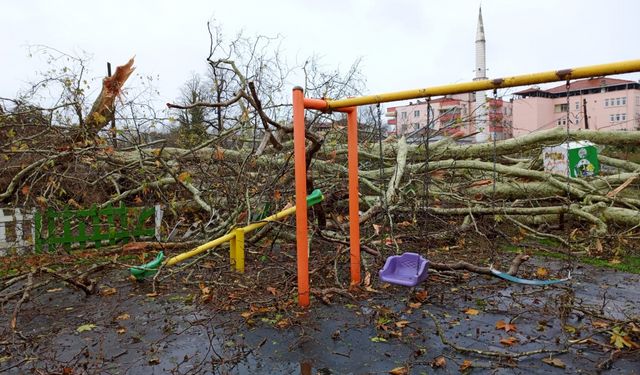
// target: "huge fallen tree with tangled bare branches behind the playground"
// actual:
[[241, 168]]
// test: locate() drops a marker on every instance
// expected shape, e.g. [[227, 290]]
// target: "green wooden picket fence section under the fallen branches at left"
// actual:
[[97, 225]]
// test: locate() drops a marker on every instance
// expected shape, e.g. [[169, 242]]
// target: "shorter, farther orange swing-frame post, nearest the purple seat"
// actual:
[[354, 200]]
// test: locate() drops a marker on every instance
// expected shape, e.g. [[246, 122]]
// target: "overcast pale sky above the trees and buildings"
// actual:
[[404, 44]]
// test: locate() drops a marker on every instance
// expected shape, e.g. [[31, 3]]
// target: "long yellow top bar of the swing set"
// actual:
[[488, 84]]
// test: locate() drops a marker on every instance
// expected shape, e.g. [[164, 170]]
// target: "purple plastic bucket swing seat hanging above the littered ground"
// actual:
[[408, 269]]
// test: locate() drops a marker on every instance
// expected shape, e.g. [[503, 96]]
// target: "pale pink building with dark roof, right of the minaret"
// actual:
[[595, 104]]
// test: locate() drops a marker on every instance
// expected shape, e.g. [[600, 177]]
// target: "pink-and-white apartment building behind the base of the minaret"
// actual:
[[451, 114]]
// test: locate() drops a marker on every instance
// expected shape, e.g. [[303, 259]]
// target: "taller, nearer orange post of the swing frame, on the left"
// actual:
[[300, 170]]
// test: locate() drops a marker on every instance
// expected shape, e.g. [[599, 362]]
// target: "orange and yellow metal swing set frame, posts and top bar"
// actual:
[[350, 107]]
